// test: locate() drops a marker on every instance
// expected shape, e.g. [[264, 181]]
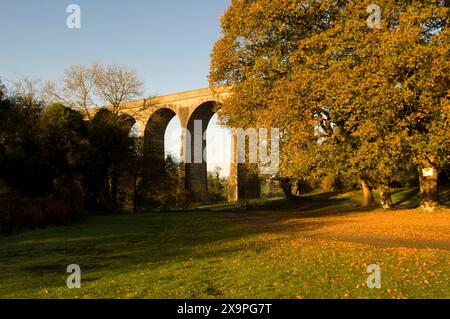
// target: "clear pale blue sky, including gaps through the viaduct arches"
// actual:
[[168, 42]]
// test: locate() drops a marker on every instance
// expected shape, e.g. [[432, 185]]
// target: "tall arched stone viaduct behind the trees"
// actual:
[[154, 114]]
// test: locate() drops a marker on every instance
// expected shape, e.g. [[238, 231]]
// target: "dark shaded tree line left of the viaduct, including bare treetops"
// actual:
[[59, 160]]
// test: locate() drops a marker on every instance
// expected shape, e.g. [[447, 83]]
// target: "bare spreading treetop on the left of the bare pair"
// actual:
[[78, 88]]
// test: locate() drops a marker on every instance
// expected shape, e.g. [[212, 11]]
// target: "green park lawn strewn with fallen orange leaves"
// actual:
[[318, 247]]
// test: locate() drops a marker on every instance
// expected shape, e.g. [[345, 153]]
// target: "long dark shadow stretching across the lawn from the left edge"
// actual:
[[118, 244]]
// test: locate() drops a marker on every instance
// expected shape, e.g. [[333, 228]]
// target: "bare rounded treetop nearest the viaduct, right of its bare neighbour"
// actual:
[[118, 84]]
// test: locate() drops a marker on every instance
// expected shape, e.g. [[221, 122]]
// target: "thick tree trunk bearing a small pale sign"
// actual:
[[429, 186]]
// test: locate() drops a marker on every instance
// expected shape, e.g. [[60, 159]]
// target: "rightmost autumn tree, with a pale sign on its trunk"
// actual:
[[422, 75]]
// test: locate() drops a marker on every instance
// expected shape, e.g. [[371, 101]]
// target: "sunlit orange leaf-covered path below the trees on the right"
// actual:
[[386, 229]]
